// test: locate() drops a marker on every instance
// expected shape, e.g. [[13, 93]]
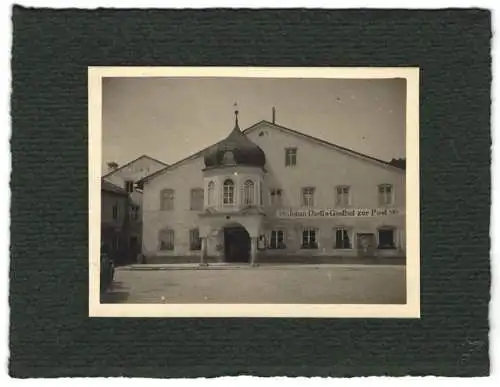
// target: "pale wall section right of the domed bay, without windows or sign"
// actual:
[[324, 169]]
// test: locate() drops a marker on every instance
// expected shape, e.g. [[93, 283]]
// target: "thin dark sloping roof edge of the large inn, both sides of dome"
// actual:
[[284, 129]]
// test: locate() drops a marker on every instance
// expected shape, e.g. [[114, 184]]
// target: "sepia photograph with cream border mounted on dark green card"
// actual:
[[291, 190]]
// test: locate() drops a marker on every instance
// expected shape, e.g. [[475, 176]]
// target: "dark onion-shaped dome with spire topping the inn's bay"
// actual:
[[235, 150]]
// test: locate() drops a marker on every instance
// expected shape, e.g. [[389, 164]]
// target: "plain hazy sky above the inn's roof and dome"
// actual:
[[171, 118]]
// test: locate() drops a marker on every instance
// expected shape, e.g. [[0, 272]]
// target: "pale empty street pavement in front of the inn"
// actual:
[[290, 284]]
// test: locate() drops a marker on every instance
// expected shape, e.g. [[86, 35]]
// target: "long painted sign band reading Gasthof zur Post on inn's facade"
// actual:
[[331, 213]]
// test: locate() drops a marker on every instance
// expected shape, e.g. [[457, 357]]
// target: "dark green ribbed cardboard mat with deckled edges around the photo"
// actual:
[[51, 334]]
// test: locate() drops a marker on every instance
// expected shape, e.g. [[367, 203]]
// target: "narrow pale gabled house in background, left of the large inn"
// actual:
[[126, 177]]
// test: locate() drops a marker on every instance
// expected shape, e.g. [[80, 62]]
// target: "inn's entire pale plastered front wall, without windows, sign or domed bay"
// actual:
[[317, 166]]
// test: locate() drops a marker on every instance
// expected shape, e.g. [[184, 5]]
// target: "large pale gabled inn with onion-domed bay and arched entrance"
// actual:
[[271, 193]]
